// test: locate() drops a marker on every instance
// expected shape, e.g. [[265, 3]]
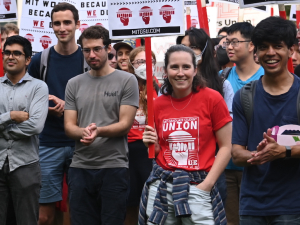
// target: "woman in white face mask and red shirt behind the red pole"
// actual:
[[140, 165]]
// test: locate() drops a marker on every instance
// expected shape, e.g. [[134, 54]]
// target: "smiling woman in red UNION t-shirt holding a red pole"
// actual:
[[189, 119]]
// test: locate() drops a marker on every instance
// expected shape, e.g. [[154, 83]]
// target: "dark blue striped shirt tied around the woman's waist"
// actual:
[[181, 180]]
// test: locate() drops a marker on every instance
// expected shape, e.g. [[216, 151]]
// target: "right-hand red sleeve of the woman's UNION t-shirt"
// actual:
[[220, 114]]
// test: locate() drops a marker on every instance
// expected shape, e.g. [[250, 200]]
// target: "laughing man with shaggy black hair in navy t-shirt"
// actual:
[[270, 189]]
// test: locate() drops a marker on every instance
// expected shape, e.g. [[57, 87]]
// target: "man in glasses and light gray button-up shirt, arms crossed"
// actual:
[[23, 111]]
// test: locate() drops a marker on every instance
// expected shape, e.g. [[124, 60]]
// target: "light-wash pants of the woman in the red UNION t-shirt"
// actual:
[[199, 202]]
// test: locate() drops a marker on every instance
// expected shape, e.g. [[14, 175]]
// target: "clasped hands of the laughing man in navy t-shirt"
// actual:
[[267, 150]]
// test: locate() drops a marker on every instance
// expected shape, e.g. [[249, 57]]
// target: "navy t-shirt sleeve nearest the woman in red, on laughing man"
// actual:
[[240, 130]]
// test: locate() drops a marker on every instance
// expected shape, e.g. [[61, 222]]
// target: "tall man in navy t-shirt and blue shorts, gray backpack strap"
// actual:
[[59, 64]]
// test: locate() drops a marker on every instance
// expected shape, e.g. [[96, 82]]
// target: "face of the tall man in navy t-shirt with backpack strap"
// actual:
[[64, 26]]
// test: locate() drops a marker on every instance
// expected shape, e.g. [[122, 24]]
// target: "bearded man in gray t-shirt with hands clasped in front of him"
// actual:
[[99, 112]]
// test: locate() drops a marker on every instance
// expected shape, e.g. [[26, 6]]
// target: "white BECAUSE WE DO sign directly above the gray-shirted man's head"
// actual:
[[92, 13]]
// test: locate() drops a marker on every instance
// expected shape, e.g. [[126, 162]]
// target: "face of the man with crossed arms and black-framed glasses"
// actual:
[[15, 65]]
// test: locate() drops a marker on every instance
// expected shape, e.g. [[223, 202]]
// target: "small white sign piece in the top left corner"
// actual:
[[8, 10]]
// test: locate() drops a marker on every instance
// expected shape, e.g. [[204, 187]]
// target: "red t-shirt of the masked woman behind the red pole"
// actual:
[[138, 127]]
